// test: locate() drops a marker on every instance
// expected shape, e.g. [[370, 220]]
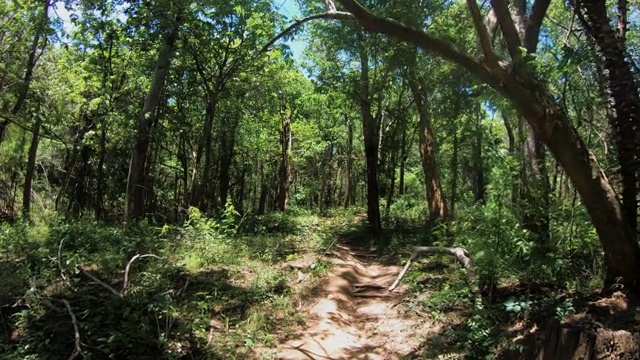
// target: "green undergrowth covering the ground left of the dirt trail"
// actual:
[[211, 289]]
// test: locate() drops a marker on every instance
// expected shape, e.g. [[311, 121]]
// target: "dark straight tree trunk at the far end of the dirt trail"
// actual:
[[371, 144]]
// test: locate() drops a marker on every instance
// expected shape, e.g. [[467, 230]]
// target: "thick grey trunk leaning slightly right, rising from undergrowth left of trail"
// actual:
[[137, 177]]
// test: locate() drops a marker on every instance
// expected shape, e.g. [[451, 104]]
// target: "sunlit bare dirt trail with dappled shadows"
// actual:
[[350, 318]]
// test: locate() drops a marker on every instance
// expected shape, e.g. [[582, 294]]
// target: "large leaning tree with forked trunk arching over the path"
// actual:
[[516, 80]]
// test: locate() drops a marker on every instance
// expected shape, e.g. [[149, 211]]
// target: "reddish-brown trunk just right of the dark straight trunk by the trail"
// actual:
[[437, 203]]
